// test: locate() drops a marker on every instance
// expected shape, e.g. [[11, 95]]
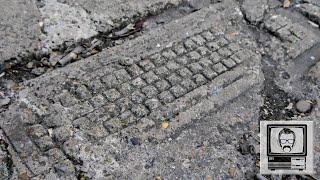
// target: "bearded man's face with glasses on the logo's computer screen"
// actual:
[[286, 139]]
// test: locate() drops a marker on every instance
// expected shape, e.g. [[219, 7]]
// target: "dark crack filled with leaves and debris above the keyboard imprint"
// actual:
[[34, 65]]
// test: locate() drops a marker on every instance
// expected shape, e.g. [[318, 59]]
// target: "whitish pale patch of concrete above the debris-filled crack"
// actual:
[[62, 23]]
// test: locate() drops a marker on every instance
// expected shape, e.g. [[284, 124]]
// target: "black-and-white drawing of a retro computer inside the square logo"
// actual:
[[287, 146]]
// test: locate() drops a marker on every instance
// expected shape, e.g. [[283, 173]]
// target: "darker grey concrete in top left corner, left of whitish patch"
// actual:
[[19, 29]]
